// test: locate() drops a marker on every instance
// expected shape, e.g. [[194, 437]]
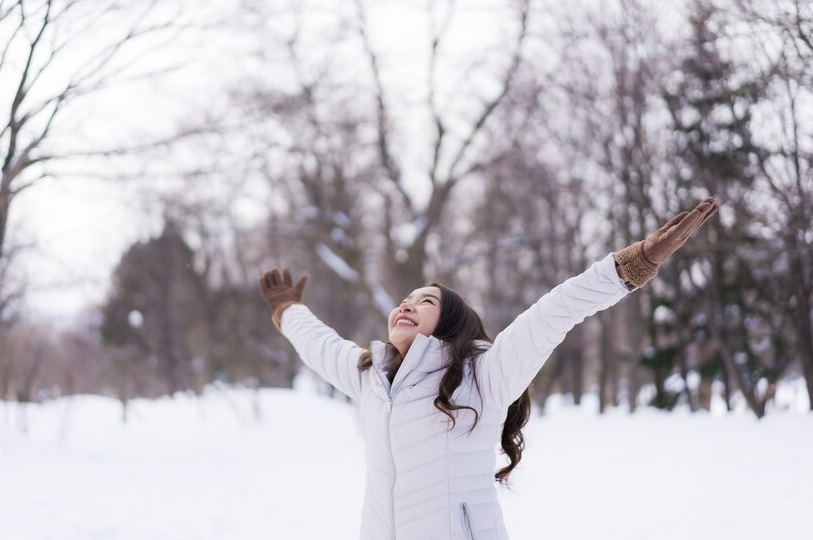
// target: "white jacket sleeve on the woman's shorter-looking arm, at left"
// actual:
[[332, 357]]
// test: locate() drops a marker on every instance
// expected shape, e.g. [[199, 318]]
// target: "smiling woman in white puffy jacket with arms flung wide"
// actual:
[[438, 397]]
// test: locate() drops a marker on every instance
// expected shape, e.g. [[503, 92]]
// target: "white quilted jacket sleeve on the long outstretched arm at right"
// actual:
[[520, 351]]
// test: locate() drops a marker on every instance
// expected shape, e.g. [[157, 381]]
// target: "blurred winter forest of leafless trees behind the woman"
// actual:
[[497, 146]]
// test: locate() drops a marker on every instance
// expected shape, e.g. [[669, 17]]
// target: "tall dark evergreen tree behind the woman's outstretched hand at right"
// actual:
[[712, 102]]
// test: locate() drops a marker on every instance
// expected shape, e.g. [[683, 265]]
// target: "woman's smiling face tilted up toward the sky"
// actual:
[[418, 313]]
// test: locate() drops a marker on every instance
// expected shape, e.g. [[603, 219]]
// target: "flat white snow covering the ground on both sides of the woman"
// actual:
[[288, 464]]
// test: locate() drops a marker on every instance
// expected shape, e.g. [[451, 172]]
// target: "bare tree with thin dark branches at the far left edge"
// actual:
[[53, 55]]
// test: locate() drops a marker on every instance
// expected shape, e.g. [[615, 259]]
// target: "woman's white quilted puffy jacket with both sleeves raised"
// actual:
[[424, 480]]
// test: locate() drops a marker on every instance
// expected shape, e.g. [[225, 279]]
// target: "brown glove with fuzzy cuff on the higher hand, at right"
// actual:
[[638, 263]]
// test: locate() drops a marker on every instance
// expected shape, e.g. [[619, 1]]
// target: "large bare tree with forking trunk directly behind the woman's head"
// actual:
[[347, 147]]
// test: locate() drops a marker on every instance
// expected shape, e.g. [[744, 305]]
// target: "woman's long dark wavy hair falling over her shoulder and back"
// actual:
[[461, 328]]
